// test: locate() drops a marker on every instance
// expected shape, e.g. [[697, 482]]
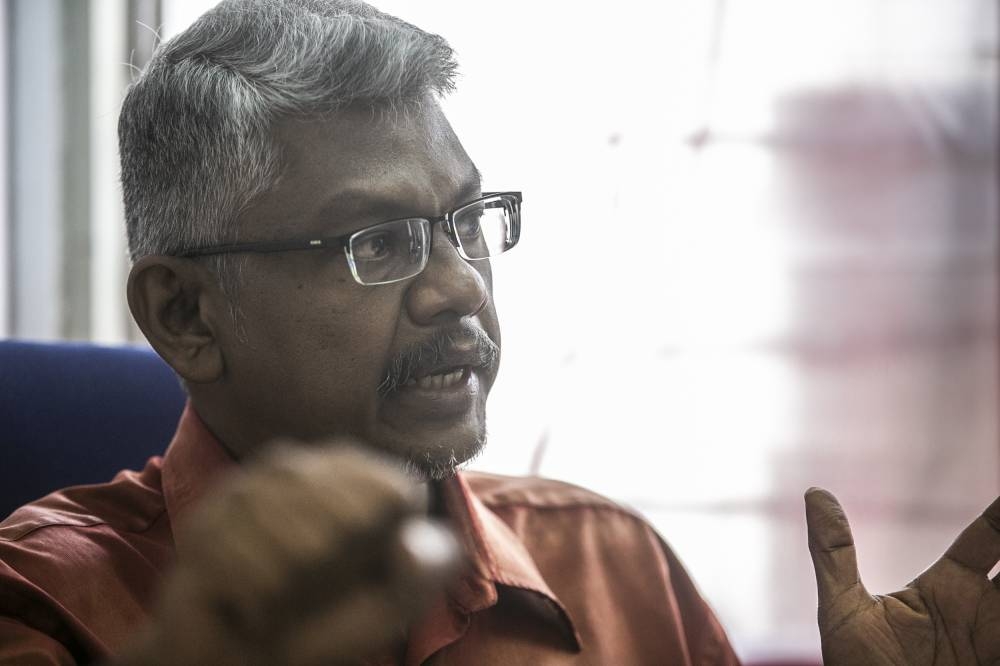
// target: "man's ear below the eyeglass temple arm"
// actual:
[[175, 302]]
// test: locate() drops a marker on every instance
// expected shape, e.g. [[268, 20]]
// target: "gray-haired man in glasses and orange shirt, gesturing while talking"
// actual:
[[311, 254]]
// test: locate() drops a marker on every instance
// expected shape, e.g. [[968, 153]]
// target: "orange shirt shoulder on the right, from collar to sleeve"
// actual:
[[603, 559]]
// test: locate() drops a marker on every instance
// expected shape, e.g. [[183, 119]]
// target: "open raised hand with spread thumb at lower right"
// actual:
[[950, 614]]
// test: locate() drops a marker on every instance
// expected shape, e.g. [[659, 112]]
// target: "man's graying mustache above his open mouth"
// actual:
[[463, 344]]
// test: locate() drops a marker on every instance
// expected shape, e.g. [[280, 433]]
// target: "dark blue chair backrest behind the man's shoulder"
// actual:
[[76, 413]]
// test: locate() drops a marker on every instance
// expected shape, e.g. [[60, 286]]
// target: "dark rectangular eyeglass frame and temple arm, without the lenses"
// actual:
[[343, 241]]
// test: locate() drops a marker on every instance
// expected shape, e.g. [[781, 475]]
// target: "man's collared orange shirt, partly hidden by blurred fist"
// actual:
[[557, 575]]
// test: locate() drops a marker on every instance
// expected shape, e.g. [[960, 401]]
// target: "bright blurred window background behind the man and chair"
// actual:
[[759, 254]]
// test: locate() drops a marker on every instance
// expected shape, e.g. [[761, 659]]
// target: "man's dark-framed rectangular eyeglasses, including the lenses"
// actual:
[[399, 249]]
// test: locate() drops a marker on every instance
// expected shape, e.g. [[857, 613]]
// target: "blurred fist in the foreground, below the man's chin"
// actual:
[[306, 556]]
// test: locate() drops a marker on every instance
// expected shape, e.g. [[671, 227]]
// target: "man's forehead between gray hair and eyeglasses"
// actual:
[[404, 163]]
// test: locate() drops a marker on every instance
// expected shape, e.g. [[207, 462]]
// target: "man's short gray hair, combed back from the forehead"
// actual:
[[195, 131]]
